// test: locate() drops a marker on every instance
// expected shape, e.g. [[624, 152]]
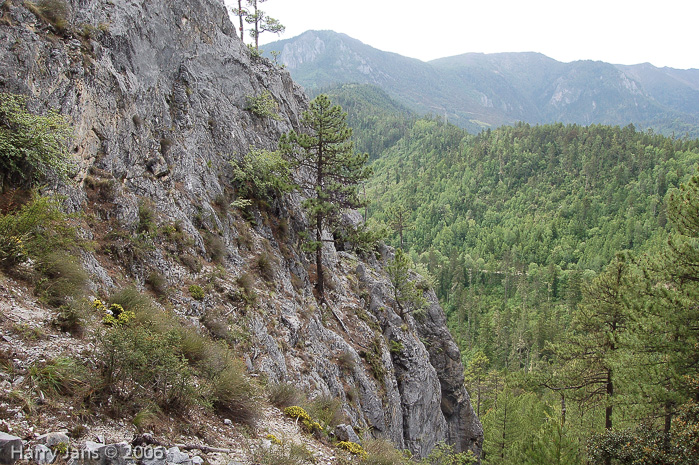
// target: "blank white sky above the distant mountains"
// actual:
[[664, 33]]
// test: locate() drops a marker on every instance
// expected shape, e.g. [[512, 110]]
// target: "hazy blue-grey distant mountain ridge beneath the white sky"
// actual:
[[477, 90]]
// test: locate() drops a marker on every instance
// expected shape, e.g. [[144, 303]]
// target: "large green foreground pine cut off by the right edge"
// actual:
[[666, 331]]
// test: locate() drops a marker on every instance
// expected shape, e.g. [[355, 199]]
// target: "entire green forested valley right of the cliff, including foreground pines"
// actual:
[[567, 260]]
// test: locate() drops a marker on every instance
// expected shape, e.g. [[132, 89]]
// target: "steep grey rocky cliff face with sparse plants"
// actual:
[[157, 93]]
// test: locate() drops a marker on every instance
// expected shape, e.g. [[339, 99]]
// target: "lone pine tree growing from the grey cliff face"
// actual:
[[330, 171]]
